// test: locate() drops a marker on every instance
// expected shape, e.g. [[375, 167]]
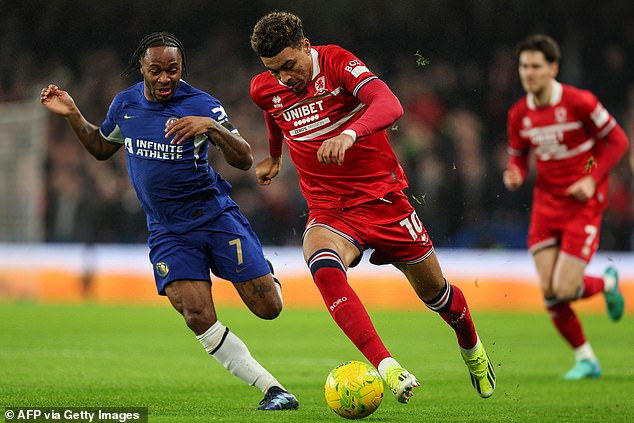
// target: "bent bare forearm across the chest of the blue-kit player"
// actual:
[[235, 149]]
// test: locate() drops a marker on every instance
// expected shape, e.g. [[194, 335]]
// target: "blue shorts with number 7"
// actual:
[[227, 246]]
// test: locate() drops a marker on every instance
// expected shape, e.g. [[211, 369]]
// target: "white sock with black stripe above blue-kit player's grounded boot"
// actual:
[[233, 354]]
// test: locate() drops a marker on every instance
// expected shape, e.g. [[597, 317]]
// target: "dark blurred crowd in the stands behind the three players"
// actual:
[[451, 140]]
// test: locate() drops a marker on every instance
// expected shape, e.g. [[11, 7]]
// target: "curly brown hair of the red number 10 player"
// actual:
[[275, 31]]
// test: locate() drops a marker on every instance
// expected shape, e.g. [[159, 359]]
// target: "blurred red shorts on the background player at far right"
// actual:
[[575, 229]]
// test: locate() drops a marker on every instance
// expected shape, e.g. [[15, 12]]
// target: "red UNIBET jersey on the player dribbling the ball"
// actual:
[[324, 109]]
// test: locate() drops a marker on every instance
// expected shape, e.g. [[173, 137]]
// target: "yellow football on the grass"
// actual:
[[354, 389]]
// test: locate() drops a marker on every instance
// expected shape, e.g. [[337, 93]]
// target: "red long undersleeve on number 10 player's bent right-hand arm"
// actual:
[[383, 108]]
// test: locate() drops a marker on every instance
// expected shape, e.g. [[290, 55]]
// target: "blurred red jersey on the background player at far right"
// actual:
[[565, 136]]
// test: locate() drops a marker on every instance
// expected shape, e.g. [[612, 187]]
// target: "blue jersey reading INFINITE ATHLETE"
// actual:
[[177, 188]]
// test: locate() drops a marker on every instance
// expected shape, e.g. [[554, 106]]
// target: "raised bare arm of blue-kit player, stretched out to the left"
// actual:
[[61, 103]]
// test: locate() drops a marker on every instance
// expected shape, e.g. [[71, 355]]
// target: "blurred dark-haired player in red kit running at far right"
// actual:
[[575, 142]]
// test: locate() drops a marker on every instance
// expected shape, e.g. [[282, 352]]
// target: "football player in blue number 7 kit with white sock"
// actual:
[[194, 226]]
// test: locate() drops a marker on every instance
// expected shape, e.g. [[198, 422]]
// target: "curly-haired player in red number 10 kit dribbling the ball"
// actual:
[[333, 111]]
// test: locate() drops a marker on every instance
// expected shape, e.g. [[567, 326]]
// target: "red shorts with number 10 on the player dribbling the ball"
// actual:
[[390, 226]]
